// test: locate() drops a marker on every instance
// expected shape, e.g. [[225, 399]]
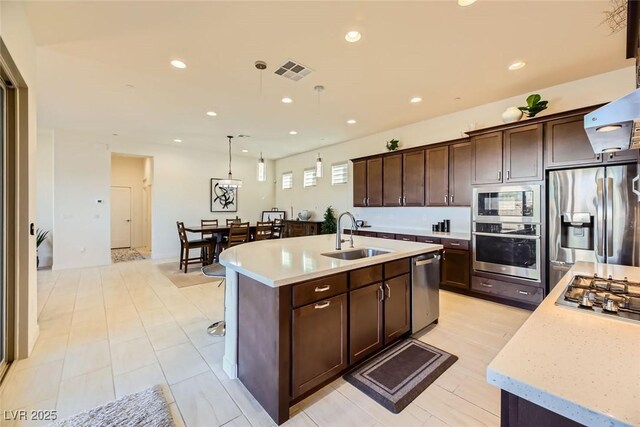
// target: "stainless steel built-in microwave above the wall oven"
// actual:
[[512, 203]]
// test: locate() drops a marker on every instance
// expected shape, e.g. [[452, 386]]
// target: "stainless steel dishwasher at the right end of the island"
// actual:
[[425, 283]]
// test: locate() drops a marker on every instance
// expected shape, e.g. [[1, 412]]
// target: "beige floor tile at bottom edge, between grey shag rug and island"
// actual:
[[203, 401]]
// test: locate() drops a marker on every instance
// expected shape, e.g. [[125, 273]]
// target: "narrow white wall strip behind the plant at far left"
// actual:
[[44, 194]]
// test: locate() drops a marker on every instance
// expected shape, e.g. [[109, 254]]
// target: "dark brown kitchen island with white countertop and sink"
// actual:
[[297, 317]]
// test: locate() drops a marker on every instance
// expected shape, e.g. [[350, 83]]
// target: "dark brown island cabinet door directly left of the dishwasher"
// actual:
[[396, 307]]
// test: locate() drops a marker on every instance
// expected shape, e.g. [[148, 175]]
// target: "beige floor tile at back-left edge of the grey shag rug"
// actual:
[[85, 392]]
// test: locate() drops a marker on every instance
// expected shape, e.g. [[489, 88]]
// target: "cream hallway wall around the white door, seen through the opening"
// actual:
[[129, 172]]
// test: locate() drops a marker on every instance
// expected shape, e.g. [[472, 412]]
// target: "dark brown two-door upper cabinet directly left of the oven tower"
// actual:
[[448, 175]]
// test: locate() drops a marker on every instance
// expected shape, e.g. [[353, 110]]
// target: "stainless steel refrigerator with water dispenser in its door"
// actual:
[[594, 216]]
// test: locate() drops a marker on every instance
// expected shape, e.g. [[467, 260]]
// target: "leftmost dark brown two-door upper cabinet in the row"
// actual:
[[367, 182]]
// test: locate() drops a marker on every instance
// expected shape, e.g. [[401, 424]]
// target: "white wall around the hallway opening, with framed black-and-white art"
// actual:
[[180, 191]]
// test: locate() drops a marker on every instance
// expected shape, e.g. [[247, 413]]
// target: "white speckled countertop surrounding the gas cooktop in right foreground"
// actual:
[[583, 366]]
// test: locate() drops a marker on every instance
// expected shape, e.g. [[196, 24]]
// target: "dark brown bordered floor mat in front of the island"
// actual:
[[397, 376]]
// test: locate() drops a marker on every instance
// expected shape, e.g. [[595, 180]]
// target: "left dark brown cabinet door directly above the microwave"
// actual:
[[486, 155]]
